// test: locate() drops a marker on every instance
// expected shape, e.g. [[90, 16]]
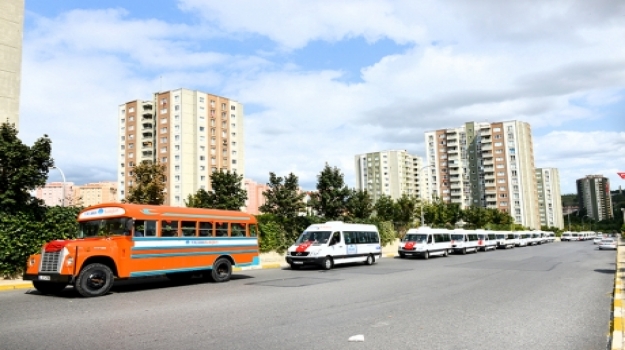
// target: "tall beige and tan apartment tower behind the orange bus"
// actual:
[[192, 133]]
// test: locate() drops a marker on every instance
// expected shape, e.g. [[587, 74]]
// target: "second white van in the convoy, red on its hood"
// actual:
[[425, 241]]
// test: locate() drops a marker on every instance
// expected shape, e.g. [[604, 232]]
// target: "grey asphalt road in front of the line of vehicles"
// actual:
[[555, 296]]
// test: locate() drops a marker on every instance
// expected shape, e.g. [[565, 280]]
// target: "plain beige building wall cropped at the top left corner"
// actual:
[[11, 34]]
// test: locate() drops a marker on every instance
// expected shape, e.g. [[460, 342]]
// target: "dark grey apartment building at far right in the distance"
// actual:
[[593, 192]]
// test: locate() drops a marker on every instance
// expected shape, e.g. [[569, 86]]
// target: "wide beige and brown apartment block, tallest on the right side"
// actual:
[[488, 165]]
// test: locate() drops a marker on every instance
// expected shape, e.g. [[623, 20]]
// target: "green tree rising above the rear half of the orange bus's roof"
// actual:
[[228, 192]]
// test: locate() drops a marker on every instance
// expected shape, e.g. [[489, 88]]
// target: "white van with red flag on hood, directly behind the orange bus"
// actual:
[[335, 242]]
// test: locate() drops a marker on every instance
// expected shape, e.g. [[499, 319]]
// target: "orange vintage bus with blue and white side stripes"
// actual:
[[133, 240]]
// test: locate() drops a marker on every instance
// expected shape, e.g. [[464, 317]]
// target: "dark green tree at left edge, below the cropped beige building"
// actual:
[[22, 169]]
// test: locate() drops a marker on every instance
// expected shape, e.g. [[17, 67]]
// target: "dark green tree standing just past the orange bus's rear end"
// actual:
[[283, 198]]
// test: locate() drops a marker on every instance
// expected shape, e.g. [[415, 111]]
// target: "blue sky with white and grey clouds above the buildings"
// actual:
[[322, 81]]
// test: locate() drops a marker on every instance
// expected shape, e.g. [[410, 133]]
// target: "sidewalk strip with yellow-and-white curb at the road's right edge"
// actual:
[[618, 306]]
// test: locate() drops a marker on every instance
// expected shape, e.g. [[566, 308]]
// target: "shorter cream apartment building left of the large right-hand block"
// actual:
[[391, 173]]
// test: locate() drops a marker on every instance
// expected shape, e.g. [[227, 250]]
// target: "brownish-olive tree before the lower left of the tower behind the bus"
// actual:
[[148, 184]]
